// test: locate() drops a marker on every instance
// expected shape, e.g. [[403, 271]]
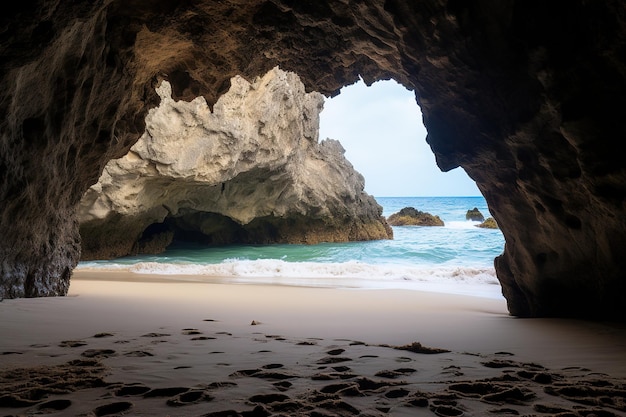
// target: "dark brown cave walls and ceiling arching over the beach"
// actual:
[[526, 96]]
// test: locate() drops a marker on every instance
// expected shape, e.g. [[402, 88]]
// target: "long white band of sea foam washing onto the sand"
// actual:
[[352, 274]]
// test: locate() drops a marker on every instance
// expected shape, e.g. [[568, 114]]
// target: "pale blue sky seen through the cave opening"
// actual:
[[385, 140]]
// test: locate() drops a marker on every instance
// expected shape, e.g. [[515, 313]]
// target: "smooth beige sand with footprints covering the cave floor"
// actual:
[[125, 344]]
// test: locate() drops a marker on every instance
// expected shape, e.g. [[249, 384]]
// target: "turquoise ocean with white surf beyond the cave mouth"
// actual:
[[456, 258]]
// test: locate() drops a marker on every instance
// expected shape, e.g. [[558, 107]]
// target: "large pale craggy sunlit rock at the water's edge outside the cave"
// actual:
[[250, 171]]
